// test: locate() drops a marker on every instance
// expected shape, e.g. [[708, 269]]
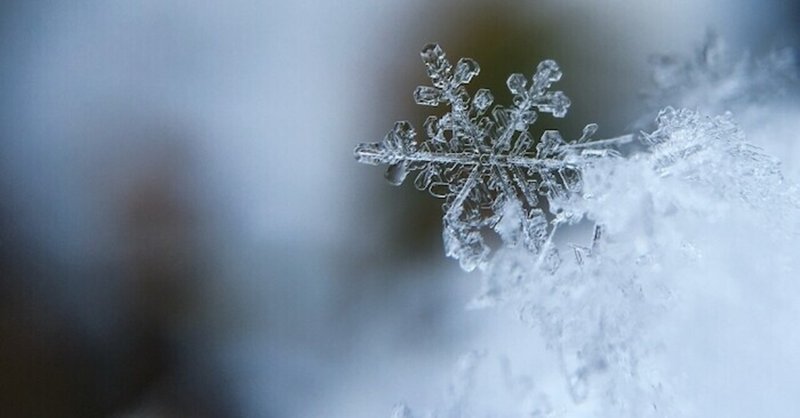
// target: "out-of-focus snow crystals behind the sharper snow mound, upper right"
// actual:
[[762, 91]]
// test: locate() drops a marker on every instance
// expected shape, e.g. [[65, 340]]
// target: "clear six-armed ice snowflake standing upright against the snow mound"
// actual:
[[485, 163]]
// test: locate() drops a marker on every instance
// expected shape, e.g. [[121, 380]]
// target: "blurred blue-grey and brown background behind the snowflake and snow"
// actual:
[[184, 231]]
